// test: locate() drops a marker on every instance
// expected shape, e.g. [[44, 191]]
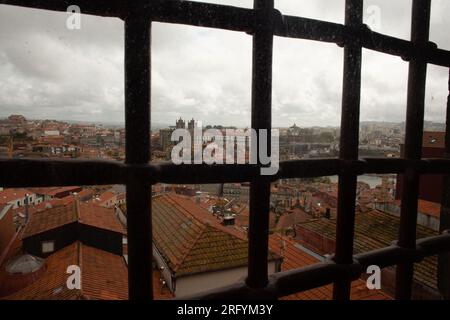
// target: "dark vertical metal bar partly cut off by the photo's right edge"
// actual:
[[444, 221]]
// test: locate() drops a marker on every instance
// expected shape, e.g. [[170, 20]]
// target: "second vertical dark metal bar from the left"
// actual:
[[261, 119]]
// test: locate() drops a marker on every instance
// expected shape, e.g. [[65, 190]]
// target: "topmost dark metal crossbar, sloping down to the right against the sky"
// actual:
[[242, 19]]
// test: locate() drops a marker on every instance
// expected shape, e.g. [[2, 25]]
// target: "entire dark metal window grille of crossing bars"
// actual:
[[263, 22]]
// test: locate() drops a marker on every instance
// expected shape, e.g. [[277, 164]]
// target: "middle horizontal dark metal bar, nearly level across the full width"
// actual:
[[56, 172]]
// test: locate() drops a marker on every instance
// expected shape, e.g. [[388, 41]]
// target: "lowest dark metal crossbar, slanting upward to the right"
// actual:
[[320, 274]]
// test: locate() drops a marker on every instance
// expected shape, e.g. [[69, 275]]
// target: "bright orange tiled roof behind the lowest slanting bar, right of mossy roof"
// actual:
[[294, 258]]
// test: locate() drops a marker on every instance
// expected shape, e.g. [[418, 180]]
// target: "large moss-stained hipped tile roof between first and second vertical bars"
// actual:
[[191, 245]]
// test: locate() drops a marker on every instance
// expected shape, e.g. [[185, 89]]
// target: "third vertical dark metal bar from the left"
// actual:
[[348, 145]]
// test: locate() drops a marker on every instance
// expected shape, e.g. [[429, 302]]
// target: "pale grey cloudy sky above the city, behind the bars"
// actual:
[[48, 71]]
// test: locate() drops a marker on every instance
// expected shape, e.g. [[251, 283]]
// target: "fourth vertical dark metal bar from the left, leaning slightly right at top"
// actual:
[[413, 145]]
